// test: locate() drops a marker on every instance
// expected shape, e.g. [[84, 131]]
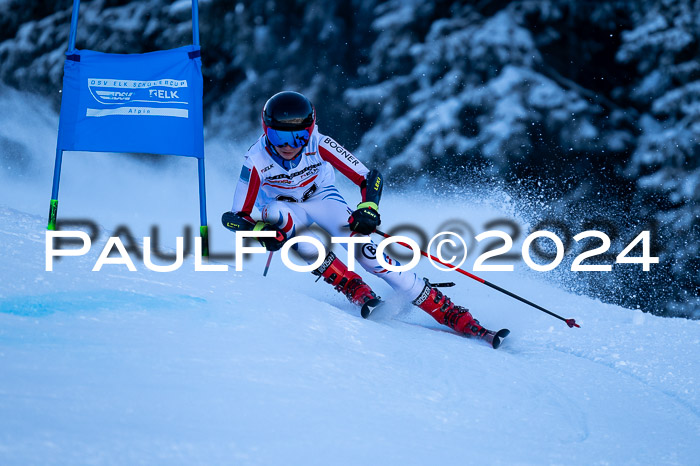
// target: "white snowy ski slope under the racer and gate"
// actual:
[[232, 368]]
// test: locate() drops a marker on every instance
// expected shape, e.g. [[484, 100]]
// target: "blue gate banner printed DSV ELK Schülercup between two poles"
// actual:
[[149, 102]]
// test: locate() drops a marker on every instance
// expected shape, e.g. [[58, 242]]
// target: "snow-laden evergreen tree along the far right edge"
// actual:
[[665, 48]]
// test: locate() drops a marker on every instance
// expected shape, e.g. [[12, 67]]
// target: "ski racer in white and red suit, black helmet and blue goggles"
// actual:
[[289, 174]]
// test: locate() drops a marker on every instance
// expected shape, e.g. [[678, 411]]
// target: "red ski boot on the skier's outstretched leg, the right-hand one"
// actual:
[[432, 301]]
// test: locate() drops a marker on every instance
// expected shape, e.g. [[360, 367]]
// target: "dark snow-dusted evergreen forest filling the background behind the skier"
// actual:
[[591, 107]]
